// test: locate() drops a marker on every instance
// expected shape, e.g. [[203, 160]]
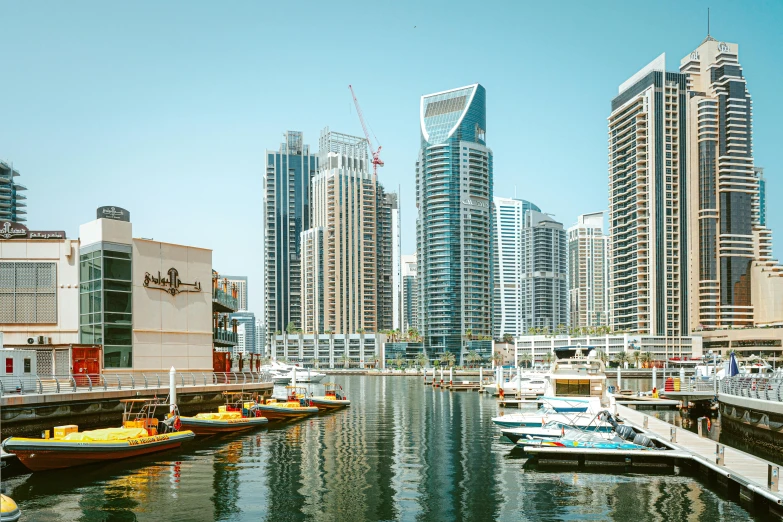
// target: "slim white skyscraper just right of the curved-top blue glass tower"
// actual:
[[508, 274]]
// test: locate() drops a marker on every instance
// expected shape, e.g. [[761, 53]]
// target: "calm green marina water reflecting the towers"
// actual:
[[402, 451]]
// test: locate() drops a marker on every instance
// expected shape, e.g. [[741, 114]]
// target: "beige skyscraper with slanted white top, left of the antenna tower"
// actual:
[[648, 268]]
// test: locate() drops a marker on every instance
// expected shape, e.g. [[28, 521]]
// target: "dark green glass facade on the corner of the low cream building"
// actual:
[[105, 302]]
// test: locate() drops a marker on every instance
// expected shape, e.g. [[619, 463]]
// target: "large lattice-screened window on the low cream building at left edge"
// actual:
[[28, 293]]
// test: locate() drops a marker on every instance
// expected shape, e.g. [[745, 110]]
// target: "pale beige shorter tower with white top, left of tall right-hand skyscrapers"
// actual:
[[587, 277]]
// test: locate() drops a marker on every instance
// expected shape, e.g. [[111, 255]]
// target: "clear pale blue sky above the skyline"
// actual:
[[166, 108]]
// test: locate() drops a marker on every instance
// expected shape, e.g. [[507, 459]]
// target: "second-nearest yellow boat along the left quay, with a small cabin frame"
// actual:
[[240, 413]]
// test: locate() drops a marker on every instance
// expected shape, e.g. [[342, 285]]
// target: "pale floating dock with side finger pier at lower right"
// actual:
[[752, 479]]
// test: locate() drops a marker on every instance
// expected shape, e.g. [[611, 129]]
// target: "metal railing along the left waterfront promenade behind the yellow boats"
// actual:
[[51, 384]]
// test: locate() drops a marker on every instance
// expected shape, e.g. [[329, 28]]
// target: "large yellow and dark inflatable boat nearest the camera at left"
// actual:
[[141, 433]]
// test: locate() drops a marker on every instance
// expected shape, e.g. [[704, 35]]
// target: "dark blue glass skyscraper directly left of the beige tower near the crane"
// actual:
[[289, 172]]
